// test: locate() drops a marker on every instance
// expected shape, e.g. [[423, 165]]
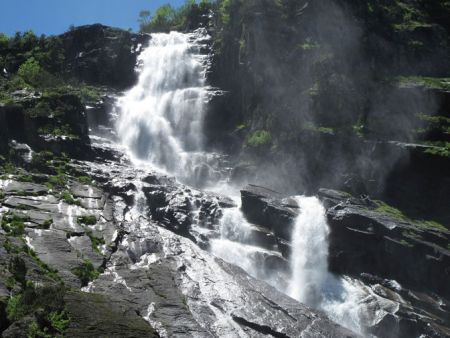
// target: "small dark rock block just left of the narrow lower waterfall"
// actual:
[[267, 208]]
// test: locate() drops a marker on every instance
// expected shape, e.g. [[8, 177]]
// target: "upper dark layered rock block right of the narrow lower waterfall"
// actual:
[[365, 240]]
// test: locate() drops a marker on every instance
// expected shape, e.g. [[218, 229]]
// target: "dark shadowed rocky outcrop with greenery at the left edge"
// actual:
[[55, 122]]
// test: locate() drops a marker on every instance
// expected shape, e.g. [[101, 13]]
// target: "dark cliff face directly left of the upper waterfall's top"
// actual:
[[115, 50]]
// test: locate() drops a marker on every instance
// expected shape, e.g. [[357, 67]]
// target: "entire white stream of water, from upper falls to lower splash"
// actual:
[[160, 122]]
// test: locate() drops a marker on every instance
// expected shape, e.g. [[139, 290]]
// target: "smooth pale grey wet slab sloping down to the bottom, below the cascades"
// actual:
[[183, 291]]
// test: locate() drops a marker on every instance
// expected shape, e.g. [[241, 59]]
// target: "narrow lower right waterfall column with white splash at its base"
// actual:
[[311, 283]]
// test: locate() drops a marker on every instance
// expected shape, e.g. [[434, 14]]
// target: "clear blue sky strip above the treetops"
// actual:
[[55, 16]]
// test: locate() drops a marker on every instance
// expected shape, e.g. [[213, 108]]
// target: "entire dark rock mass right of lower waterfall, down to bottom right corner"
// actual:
[[377, 248]]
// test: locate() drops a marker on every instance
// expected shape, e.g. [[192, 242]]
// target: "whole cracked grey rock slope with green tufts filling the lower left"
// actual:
[[134, 246]]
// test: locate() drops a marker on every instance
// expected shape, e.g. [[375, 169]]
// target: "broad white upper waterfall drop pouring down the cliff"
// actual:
[[160, 118]]
